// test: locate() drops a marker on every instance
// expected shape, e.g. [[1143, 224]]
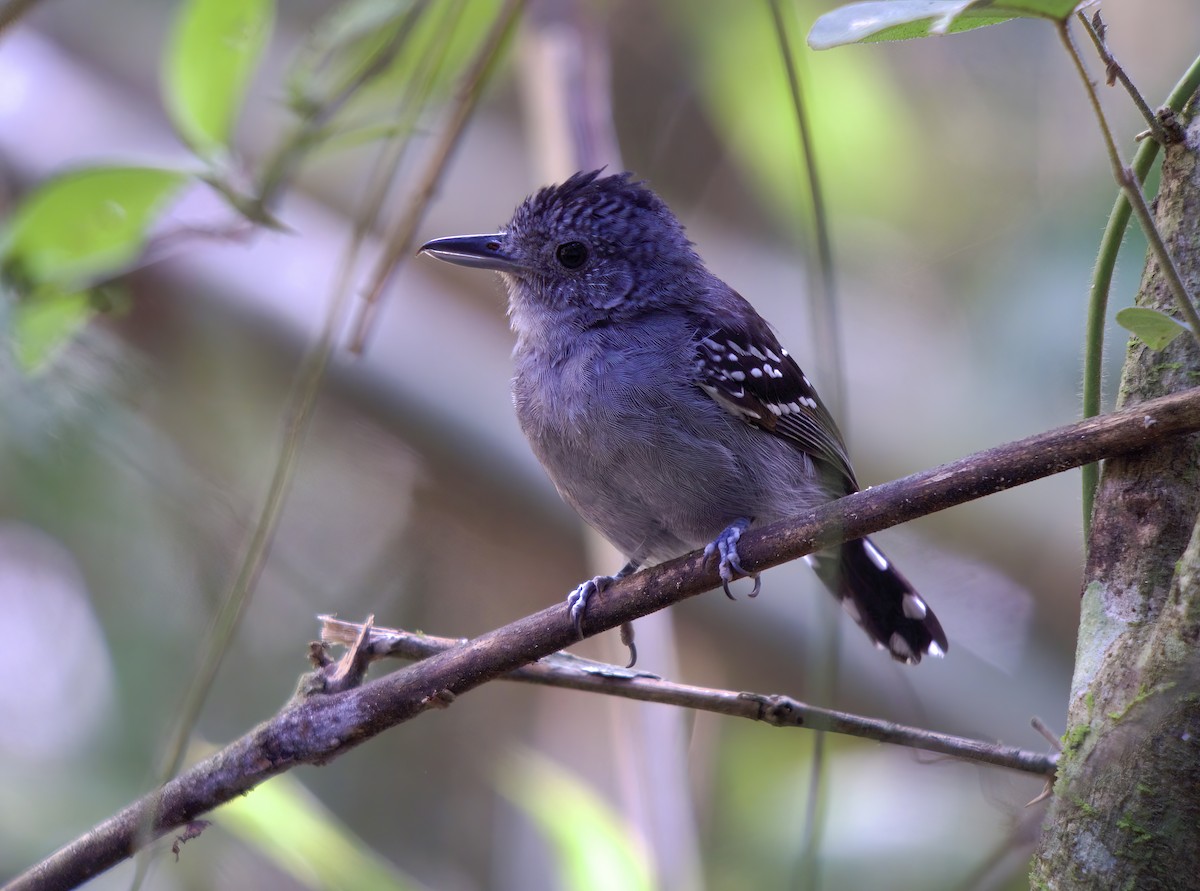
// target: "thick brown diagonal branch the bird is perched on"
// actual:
[[315, 728]]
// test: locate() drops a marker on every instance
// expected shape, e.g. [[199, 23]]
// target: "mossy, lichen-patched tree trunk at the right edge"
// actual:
[[1126, 811]]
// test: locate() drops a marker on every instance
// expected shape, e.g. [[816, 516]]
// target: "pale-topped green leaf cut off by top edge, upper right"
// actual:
[[904, 20]]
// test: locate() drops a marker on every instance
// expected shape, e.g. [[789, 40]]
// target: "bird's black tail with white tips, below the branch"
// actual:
[[881, 601]]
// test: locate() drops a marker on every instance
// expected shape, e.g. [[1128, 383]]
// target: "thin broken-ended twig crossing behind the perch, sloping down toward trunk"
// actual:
[[573, 673]]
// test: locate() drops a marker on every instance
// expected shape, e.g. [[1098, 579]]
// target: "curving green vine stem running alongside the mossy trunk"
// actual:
[[1102, 282]]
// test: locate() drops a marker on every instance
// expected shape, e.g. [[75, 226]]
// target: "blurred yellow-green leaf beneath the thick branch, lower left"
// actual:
[[291, 828]]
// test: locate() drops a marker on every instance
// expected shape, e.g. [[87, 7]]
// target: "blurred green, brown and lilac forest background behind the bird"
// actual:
[[968, 189]]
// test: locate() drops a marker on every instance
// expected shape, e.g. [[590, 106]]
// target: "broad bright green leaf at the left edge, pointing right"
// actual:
[[85, 224]]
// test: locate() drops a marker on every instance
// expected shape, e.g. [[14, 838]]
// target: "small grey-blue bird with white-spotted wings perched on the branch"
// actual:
[[663, 406]]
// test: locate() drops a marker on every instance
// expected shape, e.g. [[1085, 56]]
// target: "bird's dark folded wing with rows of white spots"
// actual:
[[753, 378]]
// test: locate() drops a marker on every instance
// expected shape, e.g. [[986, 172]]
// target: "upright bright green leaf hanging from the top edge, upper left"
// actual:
[[213, 53]]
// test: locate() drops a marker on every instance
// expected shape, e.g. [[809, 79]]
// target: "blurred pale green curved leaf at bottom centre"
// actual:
[[596, 850]]
